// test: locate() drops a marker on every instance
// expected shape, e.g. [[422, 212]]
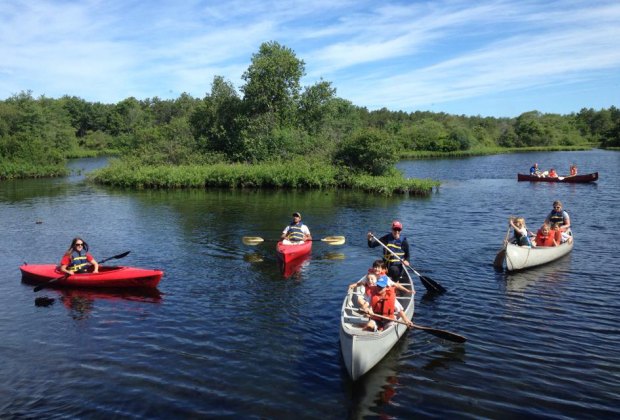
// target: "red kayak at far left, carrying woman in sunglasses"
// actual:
[[121, 277]]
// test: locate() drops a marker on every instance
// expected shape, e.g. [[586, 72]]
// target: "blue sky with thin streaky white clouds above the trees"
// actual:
[[491, 58]]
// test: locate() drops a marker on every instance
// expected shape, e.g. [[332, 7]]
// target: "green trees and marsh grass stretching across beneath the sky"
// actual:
[[270, 118]]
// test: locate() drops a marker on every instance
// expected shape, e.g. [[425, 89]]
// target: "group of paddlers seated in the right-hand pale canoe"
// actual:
[[553, 232]]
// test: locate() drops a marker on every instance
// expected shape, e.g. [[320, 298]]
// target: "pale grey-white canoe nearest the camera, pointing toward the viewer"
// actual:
[[361, 350]]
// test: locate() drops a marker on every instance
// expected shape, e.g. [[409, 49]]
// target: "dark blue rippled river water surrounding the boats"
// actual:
[[229, 335]]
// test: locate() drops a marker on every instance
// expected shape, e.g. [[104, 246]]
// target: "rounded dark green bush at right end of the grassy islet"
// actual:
[[368, 151]]
